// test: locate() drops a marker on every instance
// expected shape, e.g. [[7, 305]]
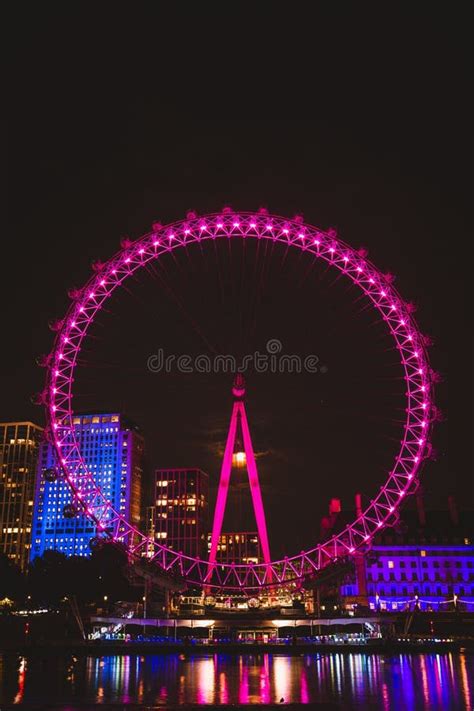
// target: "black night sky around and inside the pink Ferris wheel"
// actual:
[[359, 122]]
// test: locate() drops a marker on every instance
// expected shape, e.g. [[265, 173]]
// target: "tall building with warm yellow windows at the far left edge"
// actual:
[[19, 446]]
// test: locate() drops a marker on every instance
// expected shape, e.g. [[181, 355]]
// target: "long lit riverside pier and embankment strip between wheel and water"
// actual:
[[411, 626]]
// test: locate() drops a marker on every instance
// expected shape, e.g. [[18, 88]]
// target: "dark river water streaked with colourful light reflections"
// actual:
[[362, 681]]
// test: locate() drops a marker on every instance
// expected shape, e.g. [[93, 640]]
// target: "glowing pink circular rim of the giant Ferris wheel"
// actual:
[[87, 302]]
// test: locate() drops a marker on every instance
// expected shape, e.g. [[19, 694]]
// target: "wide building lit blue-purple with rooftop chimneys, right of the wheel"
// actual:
[[426, 560]]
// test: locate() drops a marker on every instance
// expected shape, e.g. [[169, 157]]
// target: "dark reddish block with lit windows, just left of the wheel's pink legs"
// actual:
[[178, 517]]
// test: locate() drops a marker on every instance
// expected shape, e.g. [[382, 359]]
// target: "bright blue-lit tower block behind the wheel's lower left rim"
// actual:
[[113, 449]]
